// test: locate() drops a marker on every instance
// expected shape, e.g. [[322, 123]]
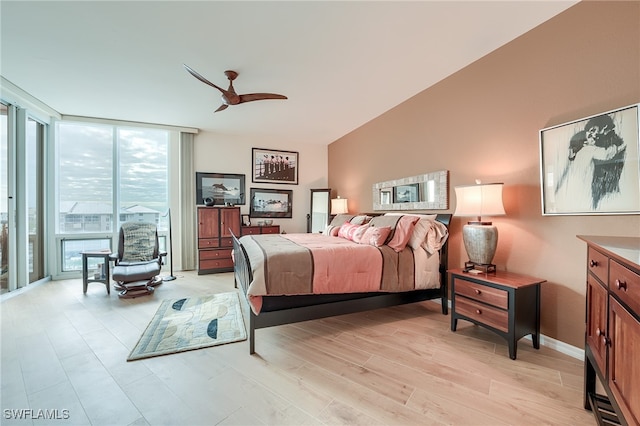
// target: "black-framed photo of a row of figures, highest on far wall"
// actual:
[[272, 166]]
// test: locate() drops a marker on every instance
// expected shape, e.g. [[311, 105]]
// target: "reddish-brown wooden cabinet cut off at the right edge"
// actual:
[[612, 339]]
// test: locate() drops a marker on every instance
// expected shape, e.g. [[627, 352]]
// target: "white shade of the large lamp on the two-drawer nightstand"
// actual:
[[479, 200]]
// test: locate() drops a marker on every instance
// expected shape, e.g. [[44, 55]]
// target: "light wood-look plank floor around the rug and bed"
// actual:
[[62, 350]]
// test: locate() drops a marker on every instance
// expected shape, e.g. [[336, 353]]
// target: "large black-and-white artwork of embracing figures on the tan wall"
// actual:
[[591, 166]]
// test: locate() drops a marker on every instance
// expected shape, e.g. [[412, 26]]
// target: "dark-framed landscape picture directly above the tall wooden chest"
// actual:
[[219, 189]]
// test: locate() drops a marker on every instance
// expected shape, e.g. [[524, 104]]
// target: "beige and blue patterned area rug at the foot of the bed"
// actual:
[[193, 323]]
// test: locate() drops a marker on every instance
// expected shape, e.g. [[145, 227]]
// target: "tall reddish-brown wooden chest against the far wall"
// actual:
[[215, 225]]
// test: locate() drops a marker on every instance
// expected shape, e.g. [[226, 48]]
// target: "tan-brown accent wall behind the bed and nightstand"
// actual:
[[483, 123]]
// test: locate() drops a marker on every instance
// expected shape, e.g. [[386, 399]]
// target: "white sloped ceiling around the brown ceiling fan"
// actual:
[[341, 63]]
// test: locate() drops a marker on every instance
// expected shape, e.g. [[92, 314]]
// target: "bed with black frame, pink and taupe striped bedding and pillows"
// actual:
[[299, 277]]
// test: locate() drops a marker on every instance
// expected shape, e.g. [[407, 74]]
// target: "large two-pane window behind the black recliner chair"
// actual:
[[106, 175]]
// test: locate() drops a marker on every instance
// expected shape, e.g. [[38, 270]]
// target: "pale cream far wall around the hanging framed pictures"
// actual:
[[216, 153]]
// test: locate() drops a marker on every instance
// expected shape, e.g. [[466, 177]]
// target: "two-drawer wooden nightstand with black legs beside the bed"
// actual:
[[504, 302]]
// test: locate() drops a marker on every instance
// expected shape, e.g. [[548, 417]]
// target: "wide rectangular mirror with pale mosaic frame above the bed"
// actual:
[[423, 192]]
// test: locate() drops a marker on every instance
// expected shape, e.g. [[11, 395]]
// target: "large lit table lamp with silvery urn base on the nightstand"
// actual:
[[480, 237]]
